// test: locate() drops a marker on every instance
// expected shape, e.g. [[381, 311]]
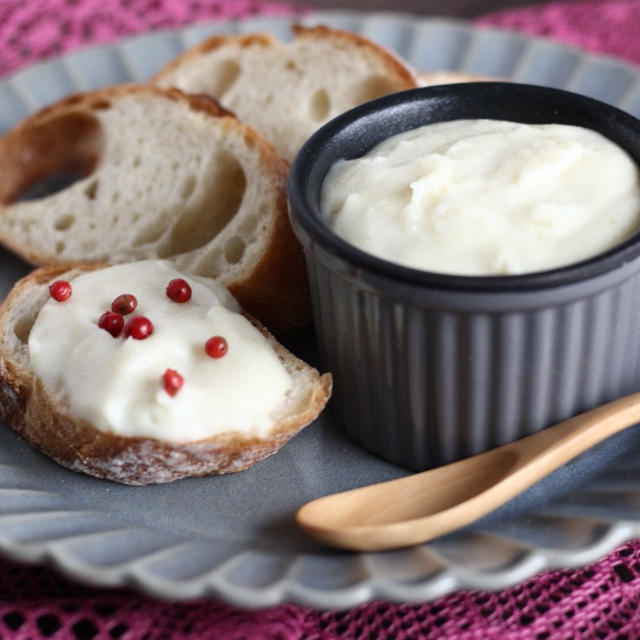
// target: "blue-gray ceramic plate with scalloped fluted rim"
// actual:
[[233, 537]]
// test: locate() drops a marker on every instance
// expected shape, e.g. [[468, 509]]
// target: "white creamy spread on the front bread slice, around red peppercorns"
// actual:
[[115, 383]]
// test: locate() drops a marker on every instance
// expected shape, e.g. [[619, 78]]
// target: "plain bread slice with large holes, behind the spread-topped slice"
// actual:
[[167, 176]]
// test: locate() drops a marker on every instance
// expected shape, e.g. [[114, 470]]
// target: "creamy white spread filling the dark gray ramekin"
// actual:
[[486, 197]]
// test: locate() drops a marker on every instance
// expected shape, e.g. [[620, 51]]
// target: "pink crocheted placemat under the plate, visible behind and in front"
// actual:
[[600, 601]]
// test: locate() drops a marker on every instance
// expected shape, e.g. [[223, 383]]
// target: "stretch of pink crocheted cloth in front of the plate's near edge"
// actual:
[[600, 601]]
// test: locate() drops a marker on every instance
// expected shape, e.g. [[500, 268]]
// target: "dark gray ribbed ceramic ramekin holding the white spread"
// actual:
[[429, 368]]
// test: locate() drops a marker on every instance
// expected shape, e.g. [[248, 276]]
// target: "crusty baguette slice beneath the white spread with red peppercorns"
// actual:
[[31, 409]]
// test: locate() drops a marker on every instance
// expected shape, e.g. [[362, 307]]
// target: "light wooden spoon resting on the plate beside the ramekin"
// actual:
[[426, 505]]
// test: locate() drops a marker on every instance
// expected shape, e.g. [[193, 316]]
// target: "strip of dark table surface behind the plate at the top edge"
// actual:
[[458, 8]]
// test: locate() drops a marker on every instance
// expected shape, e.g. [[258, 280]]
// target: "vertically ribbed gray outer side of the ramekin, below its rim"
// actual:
[[421, 385]]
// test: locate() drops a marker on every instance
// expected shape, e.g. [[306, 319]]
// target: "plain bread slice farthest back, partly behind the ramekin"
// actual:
[[287, 91]]
